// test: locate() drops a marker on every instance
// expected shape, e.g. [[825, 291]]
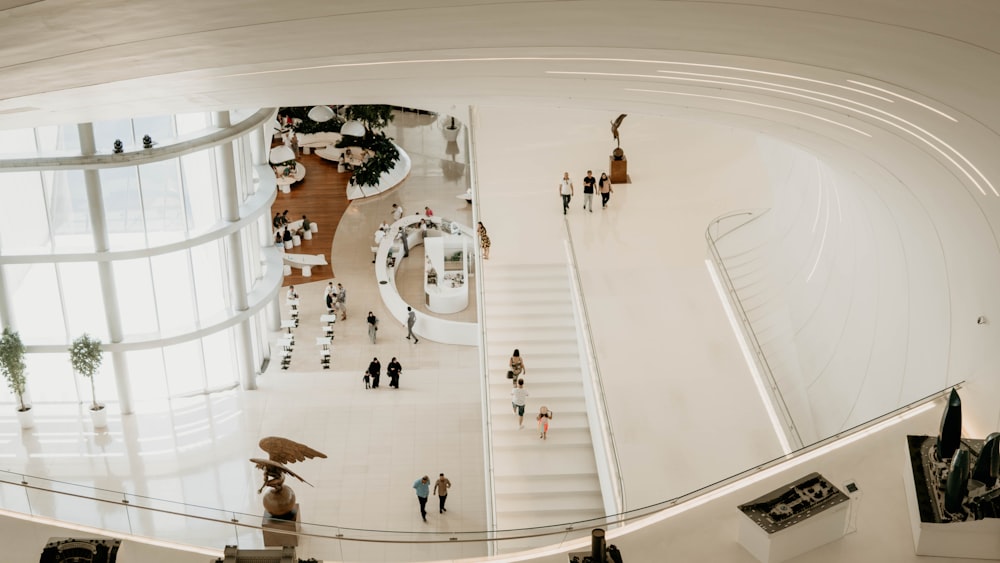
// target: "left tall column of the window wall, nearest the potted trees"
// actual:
[[105, 270]]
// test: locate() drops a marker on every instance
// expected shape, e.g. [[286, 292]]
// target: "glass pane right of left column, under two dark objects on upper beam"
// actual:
[[123, 208]]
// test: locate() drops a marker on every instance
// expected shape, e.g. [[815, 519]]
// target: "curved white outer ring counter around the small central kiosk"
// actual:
[[427, 326]]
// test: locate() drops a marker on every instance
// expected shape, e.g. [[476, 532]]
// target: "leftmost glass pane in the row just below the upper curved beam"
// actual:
[[24, 225]]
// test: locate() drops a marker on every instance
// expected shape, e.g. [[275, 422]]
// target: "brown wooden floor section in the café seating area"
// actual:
[[322, 197]]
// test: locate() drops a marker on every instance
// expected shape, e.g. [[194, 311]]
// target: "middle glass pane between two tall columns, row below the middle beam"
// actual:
[[174, 292]]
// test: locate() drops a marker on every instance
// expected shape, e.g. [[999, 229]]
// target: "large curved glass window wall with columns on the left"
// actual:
[[169, 252]]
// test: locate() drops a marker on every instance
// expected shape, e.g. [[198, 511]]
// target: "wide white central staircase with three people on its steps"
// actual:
[[538, 482]]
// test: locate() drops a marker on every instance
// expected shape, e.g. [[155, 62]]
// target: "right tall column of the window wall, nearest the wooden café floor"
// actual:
[[229, 198]]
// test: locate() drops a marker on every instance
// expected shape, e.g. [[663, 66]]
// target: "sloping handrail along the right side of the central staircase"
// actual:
[[607, 445]]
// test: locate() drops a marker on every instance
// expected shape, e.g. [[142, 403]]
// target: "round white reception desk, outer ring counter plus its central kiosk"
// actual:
[[390, 252]]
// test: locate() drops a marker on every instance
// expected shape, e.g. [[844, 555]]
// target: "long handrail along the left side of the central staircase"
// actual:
[[484, 367]]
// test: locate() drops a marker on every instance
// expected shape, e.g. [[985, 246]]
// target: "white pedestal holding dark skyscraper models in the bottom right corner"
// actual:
[[976, 539]]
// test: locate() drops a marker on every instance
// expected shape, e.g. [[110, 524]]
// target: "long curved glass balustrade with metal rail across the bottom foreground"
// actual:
[[120, 513]]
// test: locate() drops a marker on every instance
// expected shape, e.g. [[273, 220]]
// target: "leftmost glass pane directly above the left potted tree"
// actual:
[[34, 295]]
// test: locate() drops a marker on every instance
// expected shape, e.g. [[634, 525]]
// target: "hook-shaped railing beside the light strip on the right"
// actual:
[[713, 234]]
